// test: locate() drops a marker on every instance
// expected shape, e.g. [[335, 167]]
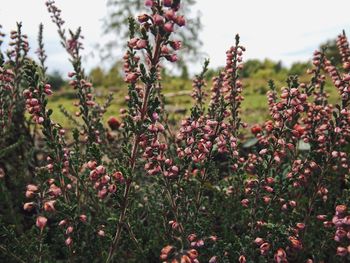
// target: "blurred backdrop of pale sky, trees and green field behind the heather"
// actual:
[[280, 37]]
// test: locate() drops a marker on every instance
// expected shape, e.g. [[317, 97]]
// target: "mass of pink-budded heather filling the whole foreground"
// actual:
[[141, 190]]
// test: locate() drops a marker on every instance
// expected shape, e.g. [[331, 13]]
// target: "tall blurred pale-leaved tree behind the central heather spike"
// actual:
[[120, 11]]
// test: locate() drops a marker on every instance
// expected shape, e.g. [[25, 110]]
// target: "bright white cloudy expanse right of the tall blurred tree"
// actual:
[[279, 29]]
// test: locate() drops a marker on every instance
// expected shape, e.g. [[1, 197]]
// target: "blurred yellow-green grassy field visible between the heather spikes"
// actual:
[[178, 96]]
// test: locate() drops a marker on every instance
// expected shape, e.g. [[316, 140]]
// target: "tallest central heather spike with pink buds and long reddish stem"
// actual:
[[152, 41]]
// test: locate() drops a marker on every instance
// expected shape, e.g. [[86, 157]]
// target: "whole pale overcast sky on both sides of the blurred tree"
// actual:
[[282, 30]]
